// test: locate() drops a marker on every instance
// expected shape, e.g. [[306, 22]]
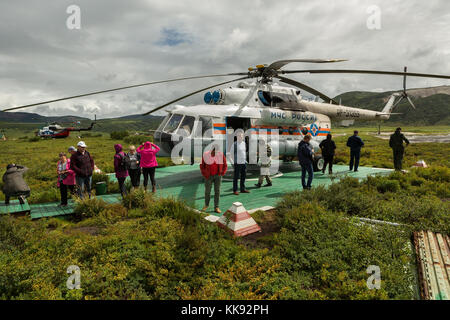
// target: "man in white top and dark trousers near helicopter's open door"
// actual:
[[237, 157]]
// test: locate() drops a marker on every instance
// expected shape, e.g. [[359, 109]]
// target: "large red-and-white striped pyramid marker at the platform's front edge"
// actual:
[[238, 221]]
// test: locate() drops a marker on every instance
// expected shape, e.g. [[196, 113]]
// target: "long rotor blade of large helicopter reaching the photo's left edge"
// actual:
[[122, 88]]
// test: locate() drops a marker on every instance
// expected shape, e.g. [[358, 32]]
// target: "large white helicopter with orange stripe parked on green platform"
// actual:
[[263, 108]]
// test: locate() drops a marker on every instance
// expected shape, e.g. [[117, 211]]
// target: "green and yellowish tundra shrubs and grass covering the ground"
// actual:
[[157, 248]]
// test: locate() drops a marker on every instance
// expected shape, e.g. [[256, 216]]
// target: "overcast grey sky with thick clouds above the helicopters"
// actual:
[[122, 43]]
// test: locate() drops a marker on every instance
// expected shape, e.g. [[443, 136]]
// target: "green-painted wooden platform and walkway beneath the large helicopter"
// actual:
[[185, 182]]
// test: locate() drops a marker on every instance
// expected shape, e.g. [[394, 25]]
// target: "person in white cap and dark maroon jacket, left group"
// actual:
[[82, 164]]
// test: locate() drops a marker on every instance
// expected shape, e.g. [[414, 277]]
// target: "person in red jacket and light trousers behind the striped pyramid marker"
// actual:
[[213, 168]]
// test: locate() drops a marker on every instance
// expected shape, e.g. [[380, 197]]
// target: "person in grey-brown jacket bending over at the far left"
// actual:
[[13, 183]]
